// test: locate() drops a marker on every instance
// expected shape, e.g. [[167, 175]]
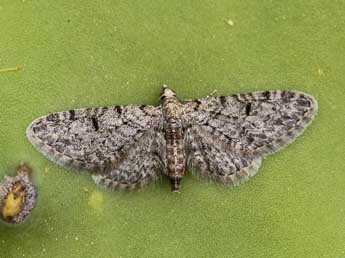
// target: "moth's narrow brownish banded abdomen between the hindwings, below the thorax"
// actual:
[[175, 152]]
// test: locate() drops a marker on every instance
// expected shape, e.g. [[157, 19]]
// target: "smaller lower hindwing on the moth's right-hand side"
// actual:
[[209, 157]]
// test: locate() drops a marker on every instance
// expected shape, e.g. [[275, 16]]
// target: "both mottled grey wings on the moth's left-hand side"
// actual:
[[119, 143]]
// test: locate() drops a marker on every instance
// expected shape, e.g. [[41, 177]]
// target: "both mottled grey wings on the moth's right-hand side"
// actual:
[[227, 137]]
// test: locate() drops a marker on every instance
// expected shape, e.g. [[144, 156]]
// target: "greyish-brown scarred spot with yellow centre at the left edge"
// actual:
[[17, 196]]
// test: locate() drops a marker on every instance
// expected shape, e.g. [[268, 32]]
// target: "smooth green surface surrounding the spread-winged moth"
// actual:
[[95, 53]]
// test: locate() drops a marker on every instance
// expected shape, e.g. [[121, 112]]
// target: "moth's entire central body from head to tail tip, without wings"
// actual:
[[174, 136]]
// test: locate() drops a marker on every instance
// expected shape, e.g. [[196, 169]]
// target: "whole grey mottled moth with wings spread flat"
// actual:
[[223, 138]]
